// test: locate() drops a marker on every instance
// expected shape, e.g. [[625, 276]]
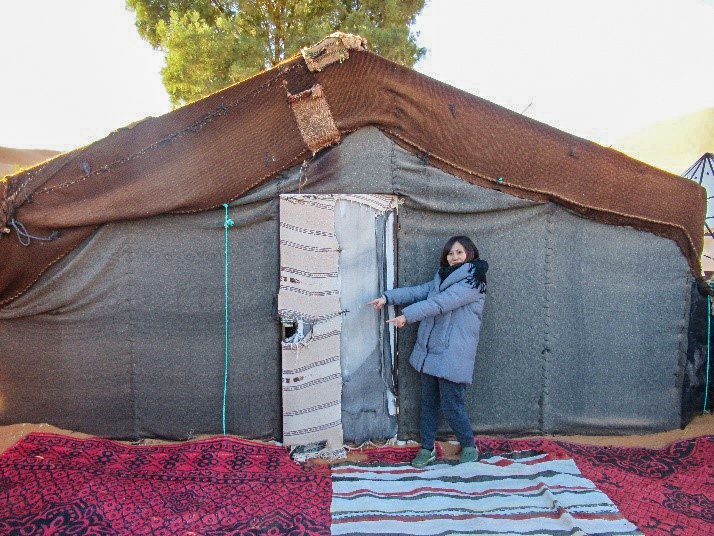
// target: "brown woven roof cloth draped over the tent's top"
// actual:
[[216, 149]]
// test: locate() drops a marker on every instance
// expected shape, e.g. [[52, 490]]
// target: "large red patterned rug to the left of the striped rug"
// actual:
[[59, 485]]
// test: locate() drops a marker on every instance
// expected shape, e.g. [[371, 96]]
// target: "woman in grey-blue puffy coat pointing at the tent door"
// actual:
[[449, 310]]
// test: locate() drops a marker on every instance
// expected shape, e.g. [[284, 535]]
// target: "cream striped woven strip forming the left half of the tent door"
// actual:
[[310, 293]]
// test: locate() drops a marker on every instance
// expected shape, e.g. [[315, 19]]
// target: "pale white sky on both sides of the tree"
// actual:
[[72, 71]]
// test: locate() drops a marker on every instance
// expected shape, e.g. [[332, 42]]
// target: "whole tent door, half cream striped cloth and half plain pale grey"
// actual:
[[336, 253]]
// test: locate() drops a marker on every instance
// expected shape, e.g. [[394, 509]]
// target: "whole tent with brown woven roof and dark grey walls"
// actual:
[[151, 282]]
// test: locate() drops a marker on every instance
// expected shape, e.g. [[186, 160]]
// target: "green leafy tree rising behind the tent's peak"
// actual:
[[209, 44]]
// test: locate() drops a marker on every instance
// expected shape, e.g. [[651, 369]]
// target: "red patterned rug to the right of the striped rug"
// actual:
[[663, 491]]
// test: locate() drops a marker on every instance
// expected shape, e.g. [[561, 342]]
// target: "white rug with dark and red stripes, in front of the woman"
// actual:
[[524, 493]]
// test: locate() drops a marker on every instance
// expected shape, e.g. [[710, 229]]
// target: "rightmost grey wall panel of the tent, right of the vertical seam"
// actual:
[[616, 321]]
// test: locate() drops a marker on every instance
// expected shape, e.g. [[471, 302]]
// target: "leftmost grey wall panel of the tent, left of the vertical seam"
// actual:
[[63, 346]]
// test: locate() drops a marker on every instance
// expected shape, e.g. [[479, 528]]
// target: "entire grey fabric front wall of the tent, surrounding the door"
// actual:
[[583, 332]]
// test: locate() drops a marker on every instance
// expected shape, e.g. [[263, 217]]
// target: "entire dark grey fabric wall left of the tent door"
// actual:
[[138, 314]]
